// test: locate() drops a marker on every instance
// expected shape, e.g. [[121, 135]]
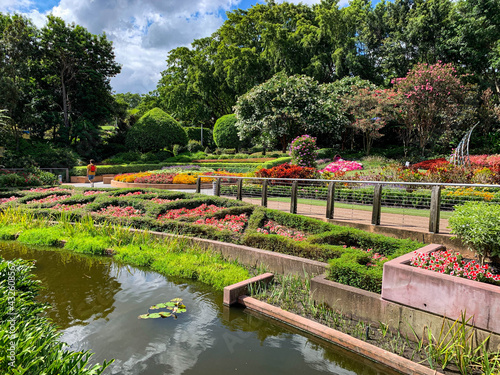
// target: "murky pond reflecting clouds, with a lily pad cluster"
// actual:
[[96, 303]]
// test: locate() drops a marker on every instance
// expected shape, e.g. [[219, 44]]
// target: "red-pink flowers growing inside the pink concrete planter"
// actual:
[[453, 264]]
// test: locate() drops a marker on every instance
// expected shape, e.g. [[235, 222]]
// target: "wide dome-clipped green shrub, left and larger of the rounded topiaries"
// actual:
[[155, 131]]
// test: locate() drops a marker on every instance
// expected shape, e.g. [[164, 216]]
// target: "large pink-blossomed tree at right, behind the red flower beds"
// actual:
[[430, 95]]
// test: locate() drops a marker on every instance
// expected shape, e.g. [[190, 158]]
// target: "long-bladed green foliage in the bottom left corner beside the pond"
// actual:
[[37, 346]]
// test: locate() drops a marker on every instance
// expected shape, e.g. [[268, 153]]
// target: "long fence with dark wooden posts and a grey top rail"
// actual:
[[403, 204]]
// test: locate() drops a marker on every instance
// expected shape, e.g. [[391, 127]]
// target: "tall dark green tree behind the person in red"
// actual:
[[77, 67]]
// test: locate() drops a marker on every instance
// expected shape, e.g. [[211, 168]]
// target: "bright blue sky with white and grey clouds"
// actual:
[[142, 31]]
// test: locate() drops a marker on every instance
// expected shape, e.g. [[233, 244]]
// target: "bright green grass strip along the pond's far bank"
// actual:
[[171, 257]]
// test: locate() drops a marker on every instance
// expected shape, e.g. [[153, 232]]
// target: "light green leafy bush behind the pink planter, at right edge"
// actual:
[[478, 225]]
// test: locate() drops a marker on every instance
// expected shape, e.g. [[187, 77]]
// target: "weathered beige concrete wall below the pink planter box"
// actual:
[[369, 307]]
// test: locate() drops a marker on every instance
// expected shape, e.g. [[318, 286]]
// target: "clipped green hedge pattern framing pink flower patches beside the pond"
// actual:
[[324, 241]]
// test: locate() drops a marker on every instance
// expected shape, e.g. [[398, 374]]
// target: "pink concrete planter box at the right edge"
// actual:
[[441, 294]]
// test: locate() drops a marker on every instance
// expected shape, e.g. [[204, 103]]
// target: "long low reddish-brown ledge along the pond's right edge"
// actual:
[[360, 347]]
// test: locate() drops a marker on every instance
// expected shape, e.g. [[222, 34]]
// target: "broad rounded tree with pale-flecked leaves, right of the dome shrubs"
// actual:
[[283, 108]]
